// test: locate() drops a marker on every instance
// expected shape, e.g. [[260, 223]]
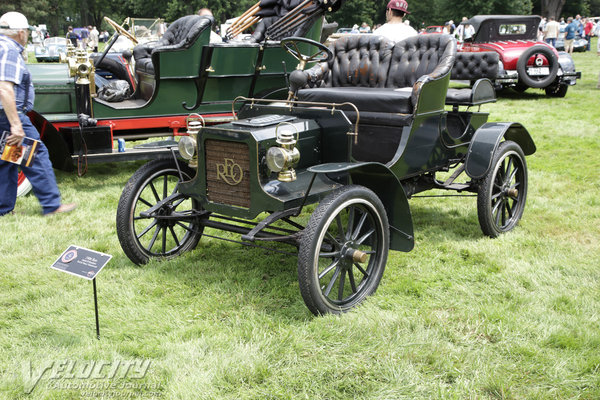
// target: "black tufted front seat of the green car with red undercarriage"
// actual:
[[181, 34]]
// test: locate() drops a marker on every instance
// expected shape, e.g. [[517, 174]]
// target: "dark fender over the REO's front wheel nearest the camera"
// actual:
[[378, 178]]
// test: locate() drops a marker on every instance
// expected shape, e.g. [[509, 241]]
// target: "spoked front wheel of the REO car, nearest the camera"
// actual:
[[326, 246]]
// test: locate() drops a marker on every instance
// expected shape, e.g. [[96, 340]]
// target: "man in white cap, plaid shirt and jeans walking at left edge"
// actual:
[[16, 99]]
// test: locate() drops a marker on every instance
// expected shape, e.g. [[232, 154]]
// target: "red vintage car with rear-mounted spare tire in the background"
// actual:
[[524, 61]]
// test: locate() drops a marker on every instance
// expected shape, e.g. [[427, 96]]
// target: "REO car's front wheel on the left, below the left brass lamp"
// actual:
[[153, 182]]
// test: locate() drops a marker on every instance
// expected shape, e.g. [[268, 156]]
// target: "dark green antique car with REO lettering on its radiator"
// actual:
[[369, 126]]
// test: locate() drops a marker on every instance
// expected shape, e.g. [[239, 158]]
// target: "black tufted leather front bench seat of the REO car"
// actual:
[[386, 72]]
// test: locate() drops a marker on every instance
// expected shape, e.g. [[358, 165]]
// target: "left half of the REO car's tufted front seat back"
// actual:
[[359, 60]]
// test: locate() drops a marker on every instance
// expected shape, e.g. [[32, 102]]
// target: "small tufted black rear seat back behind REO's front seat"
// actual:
[[471, 65]]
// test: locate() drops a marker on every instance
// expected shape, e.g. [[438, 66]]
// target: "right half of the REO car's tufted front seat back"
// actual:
[[420, 55]]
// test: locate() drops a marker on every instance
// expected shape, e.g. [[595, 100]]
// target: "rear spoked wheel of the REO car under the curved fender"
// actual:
[[499, 208]]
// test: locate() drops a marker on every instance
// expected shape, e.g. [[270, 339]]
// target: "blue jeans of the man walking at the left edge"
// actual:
[[40, 174]]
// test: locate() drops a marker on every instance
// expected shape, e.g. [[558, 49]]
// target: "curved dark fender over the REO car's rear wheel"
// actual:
[[486, 140]]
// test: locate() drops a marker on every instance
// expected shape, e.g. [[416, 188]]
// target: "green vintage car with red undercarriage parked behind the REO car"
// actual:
[[182, 72]]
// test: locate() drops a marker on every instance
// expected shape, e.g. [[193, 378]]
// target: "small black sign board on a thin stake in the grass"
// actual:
[[81, 262]]
